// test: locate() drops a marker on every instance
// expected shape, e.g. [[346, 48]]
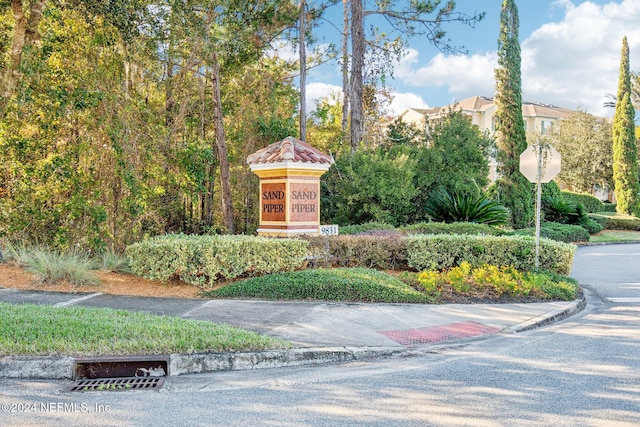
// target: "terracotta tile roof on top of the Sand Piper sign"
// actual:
[[289, 149]]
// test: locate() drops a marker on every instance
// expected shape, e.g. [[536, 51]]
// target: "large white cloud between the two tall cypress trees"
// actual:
[[575, 62]]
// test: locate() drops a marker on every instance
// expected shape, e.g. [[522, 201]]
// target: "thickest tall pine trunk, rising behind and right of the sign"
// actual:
[[357, 61]]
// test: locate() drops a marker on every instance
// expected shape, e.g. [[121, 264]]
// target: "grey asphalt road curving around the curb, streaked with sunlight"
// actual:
[[584, 371]]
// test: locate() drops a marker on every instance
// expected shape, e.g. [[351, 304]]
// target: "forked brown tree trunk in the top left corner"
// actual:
[[24, 34]]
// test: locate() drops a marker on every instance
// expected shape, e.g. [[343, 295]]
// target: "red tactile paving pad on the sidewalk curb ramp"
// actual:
[[435, 334]]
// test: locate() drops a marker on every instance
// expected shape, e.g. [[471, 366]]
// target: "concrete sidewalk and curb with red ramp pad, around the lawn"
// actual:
[[320, 331]]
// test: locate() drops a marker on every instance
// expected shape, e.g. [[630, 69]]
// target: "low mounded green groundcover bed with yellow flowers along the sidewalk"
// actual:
[[367, 285]]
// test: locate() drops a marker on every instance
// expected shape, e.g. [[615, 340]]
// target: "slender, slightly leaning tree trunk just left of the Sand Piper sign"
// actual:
[[218, 122]]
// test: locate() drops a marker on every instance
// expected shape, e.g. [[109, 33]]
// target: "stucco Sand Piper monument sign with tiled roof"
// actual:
[[289, 172]]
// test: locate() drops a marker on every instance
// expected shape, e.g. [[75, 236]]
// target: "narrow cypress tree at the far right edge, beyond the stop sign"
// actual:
[[625, 150]]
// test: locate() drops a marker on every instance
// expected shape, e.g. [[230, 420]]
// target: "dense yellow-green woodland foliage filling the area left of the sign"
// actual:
[[108, 135]]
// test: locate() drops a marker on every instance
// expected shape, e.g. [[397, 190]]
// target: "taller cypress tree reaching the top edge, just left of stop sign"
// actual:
[[514, 190]]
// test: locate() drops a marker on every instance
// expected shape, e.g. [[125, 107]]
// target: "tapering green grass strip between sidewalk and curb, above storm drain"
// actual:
[[78, 331]]
